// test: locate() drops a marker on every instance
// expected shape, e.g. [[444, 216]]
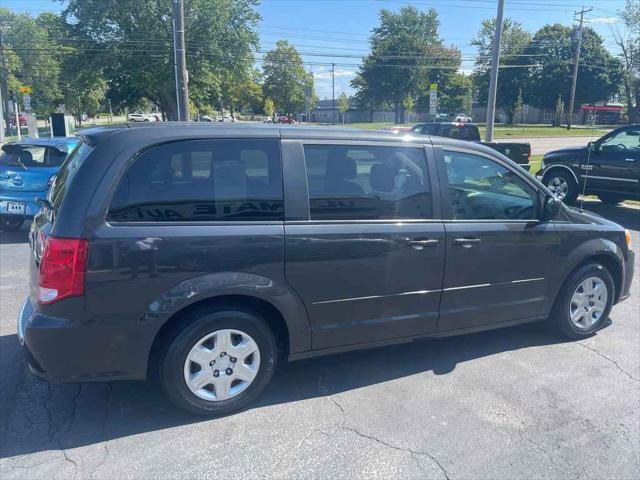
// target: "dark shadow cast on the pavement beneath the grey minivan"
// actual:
[[37, 416]]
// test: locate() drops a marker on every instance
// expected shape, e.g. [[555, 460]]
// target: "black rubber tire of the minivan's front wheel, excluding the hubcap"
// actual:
[[560, 316]]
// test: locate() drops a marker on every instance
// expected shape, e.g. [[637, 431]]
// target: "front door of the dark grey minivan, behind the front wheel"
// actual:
[[499, 256]]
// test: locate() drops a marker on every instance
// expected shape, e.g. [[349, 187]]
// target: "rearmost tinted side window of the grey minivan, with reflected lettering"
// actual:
[[202, 180]]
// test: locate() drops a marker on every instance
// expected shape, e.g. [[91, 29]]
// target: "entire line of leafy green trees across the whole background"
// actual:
[[95, 52]]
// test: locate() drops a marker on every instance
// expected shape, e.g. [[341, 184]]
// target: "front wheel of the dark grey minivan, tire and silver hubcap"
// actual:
[[584, 303]]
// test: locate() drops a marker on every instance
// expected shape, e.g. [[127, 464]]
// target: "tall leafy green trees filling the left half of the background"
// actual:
[[96, 52]]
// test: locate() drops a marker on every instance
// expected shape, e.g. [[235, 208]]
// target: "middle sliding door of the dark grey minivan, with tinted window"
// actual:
[[368, 259]]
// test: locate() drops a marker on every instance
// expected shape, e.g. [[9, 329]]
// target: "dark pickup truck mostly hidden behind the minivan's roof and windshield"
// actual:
[[518, 152]]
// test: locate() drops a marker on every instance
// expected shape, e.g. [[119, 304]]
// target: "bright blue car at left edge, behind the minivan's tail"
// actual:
[[27, 170]]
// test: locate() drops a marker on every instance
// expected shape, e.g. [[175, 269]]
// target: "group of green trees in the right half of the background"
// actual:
[[407, 55]]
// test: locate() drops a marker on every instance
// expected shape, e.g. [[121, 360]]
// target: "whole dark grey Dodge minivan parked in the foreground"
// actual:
[[203, 254]]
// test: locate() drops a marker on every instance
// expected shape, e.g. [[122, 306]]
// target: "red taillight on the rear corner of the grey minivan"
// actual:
[[62, 268]]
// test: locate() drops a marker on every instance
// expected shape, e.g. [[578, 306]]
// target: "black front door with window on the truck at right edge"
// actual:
[[614, 164]]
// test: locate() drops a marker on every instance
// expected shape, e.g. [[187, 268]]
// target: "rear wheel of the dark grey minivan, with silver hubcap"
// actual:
[[219, 363]]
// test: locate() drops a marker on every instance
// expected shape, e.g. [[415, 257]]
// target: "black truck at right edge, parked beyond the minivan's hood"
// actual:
[[608, 168]]
